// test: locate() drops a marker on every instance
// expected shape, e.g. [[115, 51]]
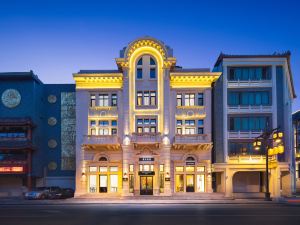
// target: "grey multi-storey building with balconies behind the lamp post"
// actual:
[[254, 93]]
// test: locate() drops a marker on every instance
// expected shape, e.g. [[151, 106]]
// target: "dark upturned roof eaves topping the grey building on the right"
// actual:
[[286, 55]]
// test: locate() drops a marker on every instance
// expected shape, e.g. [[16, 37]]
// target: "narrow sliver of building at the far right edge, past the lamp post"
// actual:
[[296, 128]]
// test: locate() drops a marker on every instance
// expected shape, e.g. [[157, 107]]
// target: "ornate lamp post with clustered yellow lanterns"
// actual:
[[272, 142]]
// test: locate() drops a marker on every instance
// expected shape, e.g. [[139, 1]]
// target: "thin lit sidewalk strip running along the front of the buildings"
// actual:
[[72, 201]]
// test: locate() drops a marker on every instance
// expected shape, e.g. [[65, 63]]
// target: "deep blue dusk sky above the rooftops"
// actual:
[[58, 38]]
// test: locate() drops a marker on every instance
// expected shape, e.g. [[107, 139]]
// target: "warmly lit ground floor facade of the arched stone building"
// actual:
[[144, 170]]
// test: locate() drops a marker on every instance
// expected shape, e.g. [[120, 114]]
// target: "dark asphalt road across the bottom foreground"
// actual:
[[156, 214]]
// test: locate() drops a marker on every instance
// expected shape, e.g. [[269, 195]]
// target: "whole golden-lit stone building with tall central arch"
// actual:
[[144, 129]]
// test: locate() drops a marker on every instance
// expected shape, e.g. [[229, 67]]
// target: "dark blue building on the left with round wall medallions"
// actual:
[[37, 133]]
